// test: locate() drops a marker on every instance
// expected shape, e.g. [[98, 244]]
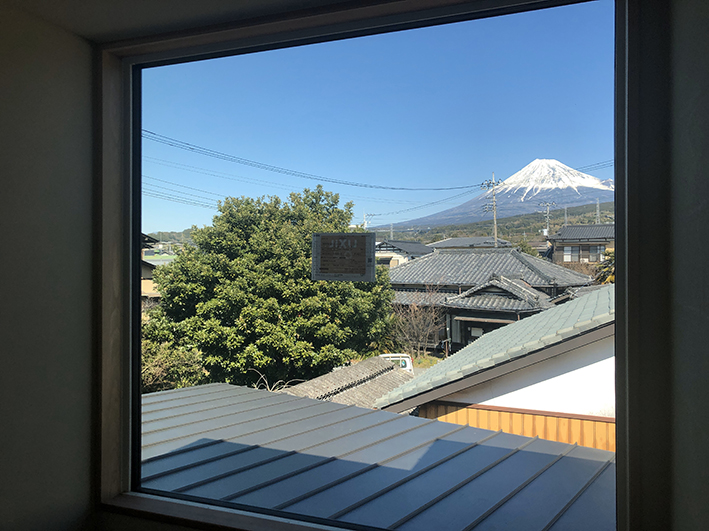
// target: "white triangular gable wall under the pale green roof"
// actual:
[[580, 382]]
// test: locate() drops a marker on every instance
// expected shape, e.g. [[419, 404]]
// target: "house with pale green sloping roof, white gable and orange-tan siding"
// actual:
[[551, 375]]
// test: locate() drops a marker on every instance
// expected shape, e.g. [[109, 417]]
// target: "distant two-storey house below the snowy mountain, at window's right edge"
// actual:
[[582, 243]]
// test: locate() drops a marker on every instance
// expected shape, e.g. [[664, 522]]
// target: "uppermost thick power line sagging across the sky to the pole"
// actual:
[[179, 144]]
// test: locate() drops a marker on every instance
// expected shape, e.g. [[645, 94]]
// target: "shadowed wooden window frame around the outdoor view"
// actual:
[[637, 486]]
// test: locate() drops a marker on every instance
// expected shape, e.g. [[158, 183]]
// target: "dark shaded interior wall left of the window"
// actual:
[[45, 299]]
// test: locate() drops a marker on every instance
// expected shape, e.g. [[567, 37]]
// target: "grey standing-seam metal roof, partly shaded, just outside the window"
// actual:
[[365, 469]]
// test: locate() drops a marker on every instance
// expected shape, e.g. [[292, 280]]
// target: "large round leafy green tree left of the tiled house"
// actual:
[[242, 295]]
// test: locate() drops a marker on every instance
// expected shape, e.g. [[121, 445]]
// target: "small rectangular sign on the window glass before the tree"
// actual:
[[343, 256]]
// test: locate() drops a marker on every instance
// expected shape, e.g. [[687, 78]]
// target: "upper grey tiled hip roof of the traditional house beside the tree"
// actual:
[[471, 267]]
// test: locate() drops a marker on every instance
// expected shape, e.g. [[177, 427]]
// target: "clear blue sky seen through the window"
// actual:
[[429, 108]]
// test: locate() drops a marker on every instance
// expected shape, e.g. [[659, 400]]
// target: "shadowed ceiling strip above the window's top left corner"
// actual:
[[111, 20]]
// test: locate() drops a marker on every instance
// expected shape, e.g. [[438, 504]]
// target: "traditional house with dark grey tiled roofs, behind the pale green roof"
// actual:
[[480, 290]]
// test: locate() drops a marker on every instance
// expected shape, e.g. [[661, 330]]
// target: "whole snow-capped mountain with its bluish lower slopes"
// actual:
[[540, 181]]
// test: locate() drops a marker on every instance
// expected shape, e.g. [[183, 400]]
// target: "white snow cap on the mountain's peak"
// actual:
[[548, 174]]
